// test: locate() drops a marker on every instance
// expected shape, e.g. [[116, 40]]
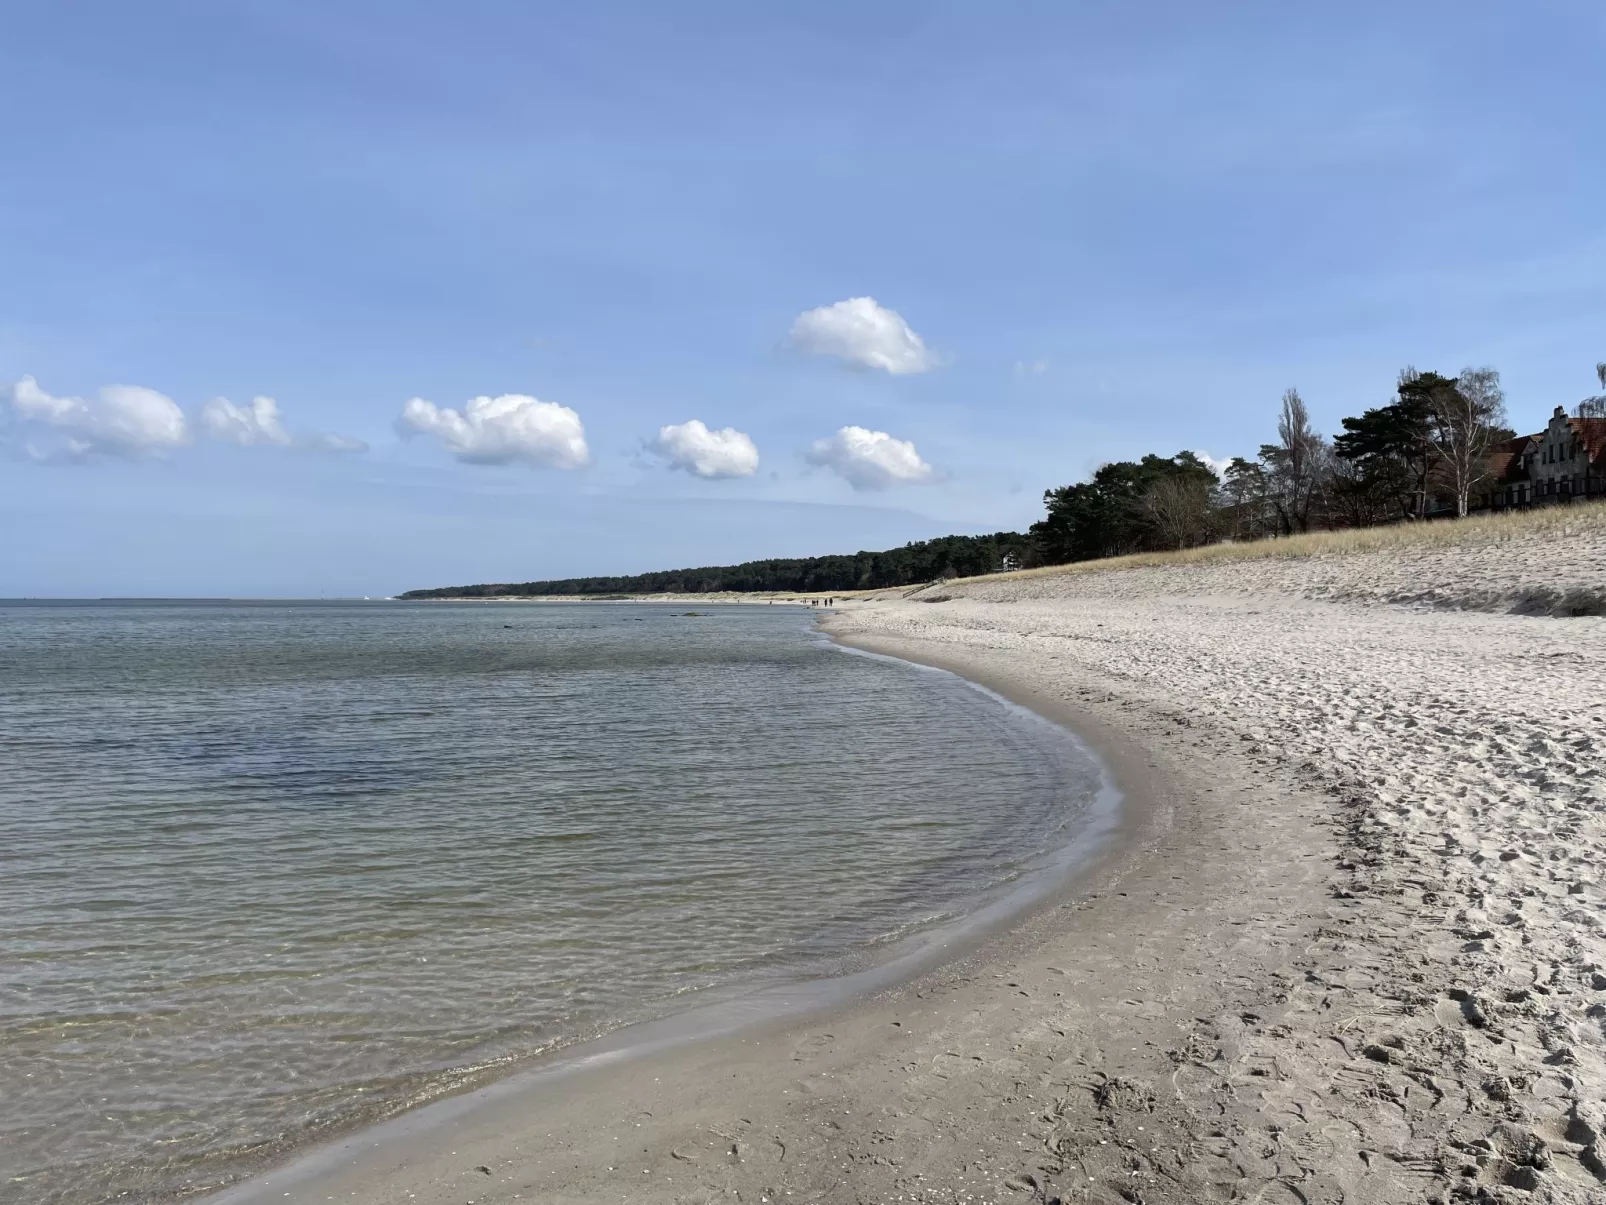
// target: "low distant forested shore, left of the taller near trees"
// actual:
[[908, 566]]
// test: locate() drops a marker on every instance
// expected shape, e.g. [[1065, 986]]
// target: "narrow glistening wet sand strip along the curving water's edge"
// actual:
[[725, 1026]]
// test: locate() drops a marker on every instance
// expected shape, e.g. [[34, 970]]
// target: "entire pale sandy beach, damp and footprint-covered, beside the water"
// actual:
[[1348, 947]]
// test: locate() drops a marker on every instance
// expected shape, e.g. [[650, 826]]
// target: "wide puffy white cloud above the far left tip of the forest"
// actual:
[[503, 430]]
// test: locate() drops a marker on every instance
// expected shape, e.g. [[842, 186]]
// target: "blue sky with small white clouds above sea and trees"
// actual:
[[338, 298]]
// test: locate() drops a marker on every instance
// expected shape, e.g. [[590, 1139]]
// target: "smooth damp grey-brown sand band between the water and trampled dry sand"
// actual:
[[1043, 1048]]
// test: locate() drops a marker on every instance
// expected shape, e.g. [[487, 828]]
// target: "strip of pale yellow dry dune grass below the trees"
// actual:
[[1541, 525]]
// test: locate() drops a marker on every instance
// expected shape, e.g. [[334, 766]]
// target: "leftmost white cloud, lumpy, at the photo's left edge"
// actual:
[[118, 422]]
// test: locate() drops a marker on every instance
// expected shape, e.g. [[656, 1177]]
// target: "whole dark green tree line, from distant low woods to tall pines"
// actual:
[[1429, 452]]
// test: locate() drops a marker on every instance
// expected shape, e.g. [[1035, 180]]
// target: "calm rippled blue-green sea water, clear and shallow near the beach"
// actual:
[[272, 870]]
